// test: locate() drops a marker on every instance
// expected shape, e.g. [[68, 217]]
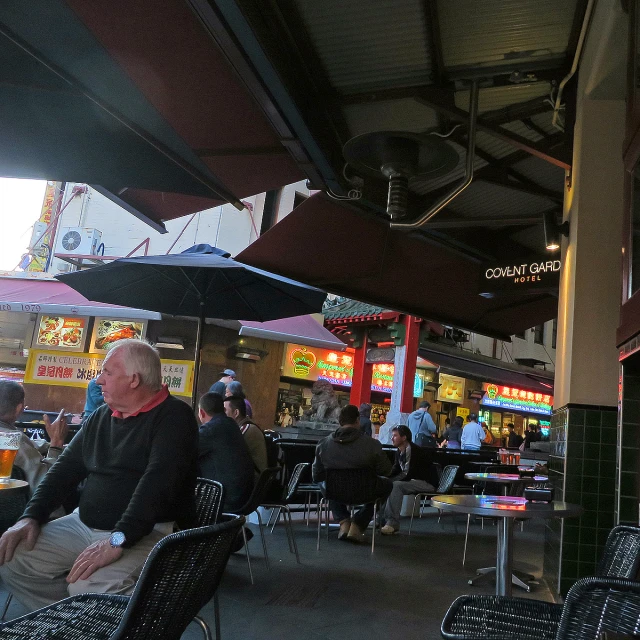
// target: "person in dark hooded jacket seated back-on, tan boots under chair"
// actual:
[[348, 448]]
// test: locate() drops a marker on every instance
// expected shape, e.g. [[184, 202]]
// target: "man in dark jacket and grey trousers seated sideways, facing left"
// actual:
[[412, 473]]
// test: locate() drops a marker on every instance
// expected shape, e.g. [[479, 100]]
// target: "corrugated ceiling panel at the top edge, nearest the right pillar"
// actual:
[[503, 32]]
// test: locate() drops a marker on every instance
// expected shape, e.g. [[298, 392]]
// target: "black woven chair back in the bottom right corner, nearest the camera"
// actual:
[[594, 605]]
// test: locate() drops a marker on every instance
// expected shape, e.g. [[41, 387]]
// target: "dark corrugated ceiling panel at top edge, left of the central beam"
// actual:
[[369, 45]]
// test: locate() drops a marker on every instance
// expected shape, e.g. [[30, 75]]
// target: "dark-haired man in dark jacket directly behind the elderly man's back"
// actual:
[[223, 454]]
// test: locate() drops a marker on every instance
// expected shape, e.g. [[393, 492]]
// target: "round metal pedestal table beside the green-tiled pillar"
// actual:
[[506, 509]]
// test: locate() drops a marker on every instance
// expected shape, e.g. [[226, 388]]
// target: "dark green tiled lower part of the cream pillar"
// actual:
[[582, 468]]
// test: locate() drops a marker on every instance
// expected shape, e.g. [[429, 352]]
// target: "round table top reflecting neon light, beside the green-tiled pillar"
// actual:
[[505, 507]]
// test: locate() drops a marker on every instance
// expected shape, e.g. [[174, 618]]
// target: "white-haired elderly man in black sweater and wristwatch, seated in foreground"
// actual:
[[139, 456]]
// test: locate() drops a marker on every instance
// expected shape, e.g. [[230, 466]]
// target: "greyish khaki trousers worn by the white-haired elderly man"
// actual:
[[37, 577]]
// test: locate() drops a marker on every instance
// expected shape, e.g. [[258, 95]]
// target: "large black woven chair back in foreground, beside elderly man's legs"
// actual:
[[180, 575]]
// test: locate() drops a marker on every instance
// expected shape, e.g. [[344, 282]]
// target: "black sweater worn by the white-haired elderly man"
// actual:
[[139, 471]]
